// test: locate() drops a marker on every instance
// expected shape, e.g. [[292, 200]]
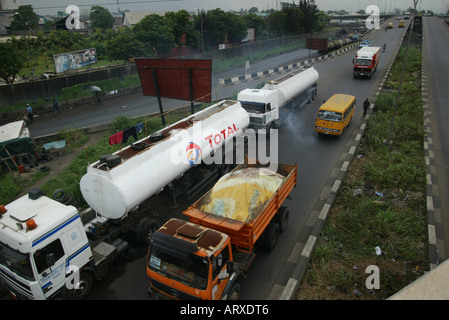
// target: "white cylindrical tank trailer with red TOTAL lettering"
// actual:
[[117, 184]]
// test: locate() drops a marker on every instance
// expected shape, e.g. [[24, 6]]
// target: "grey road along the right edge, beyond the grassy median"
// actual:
[[436, 44]]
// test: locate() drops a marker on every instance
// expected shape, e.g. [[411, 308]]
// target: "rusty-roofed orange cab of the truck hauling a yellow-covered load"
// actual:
[[188, 261]]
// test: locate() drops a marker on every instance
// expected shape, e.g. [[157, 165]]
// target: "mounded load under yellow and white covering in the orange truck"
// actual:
[[241, 195]]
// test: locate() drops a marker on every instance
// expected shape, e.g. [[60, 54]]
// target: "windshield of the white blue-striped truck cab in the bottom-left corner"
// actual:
[[17, 262]]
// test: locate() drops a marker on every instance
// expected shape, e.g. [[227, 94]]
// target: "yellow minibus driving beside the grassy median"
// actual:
[[335, 114]]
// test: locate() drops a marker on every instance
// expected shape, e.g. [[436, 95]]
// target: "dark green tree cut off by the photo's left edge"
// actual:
[[11, 61]]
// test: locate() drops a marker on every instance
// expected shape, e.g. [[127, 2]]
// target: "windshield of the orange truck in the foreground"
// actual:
[[192, 271]]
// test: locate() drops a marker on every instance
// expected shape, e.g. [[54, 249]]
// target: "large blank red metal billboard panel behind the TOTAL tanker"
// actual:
[[182, 79]]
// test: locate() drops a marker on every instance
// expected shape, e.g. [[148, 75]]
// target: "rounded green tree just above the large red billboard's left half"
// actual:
[[156, 33]]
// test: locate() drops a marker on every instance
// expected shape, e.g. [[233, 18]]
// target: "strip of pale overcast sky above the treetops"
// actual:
[[44, 7]]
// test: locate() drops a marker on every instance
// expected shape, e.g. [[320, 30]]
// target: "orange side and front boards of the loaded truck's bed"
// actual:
[[244, 235]]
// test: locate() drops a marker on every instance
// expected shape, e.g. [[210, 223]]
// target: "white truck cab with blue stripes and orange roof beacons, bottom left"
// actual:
[[40, 241]]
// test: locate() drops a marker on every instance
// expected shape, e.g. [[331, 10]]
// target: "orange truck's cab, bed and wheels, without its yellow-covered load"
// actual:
[[206, 257]]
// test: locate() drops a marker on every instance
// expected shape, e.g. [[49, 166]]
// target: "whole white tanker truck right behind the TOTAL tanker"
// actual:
[[293, 90]]
